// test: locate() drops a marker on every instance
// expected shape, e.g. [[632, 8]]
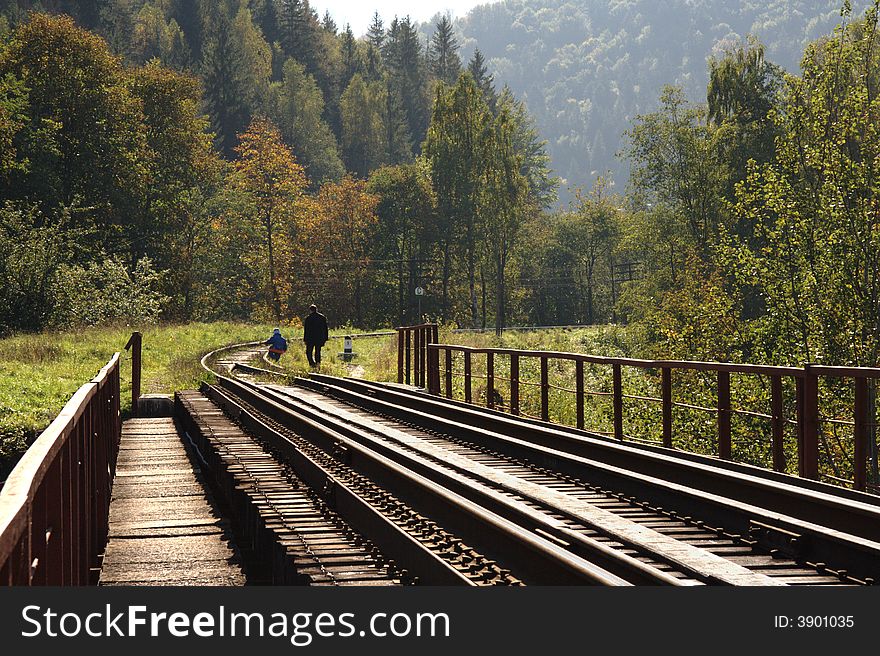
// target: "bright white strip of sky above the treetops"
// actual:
[[360, 12]]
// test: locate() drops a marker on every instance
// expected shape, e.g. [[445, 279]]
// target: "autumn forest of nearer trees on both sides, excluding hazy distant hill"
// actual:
[[190, 161]]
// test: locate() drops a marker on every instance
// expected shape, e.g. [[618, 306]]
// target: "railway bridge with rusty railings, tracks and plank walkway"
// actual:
[[460, 474]]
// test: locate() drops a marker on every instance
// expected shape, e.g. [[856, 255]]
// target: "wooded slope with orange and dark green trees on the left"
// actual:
[[181, 160]]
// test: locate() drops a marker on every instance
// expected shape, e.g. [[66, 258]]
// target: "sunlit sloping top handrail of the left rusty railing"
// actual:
[[20, 489]]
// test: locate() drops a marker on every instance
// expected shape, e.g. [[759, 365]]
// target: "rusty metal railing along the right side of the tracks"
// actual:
[[806, 405]]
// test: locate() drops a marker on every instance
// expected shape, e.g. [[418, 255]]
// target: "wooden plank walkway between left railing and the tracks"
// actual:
[[164, 529]]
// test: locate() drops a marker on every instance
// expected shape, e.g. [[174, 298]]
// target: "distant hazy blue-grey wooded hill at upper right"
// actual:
[[587, 68]]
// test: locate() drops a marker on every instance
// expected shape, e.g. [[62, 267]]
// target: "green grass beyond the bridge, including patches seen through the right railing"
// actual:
[[39, 373]]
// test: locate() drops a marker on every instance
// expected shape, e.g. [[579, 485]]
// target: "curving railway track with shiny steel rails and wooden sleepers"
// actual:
[[534, 505]]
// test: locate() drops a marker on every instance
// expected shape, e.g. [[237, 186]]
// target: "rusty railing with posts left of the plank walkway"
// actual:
[[55, 504]]
